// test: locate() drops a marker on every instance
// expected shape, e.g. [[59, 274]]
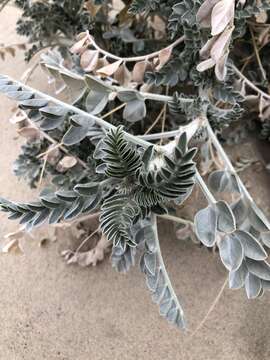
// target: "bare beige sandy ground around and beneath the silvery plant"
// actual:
[[53, 311]]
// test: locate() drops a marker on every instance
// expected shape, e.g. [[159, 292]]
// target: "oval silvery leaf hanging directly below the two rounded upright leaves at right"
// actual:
[[231, 252]]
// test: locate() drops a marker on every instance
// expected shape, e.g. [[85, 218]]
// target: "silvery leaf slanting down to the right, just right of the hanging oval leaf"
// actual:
[[252, 248]]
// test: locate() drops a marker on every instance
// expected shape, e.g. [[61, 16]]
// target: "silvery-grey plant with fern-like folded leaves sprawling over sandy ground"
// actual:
[[134, 134]]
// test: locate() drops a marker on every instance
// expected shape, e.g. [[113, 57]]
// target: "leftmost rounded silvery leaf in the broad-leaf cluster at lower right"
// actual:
[[205, 222]]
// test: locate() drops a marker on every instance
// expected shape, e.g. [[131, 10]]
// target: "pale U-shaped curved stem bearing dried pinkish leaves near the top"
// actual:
[[134, 58]]
